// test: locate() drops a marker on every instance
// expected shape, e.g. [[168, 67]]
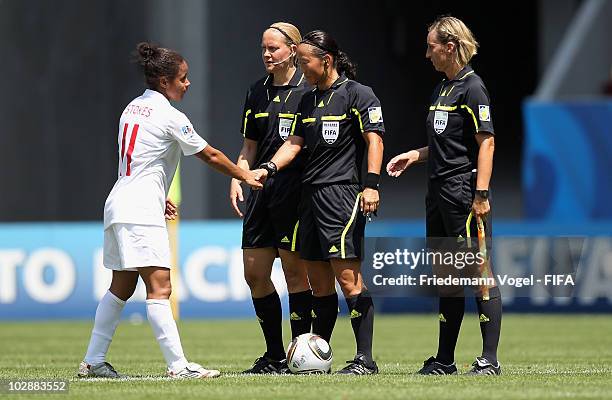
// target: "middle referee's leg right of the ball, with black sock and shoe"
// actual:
[[361, 309]]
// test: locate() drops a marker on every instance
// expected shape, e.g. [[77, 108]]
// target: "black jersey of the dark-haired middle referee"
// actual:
[[332, 122]]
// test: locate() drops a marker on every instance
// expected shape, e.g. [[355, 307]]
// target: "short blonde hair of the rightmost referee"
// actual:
[[451, 29]]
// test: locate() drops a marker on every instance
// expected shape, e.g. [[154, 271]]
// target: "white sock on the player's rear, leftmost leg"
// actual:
[[106, 321]]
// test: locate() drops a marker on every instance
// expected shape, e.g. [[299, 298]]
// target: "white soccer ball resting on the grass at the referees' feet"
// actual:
[[309, 354]]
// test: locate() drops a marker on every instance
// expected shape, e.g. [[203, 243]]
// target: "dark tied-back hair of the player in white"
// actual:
[[157, 62]]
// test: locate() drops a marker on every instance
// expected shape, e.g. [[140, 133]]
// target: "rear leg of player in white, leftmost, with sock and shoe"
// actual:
[[107, 318]]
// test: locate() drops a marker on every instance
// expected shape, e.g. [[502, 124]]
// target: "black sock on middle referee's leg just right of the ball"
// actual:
[[361, 309]]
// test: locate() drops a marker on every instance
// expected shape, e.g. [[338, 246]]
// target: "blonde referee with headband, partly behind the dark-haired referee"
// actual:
[[271, 217]]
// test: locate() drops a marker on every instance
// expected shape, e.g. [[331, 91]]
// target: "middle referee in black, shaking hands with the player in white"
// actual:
[[337, 123]]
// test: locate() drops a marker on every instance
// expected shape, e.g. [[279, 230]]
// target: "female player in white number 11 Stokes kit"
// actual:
[[152, 135]]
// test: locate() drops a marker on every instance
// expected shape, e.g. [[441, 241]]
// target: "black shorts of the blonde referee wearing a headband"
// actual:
[[271, 217]]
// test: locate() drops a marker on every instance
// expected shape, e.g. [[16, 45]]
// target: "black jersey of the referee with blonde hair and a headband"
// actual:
[[268, 114]]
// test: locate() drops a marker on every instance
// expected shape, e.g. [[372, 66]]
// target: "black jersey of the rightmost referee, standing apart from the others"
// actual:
[[459, 109]]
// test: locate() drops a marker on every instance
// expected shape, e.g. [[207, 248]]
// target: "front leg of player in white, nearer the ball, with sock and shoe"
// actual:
[[159, 313]]
